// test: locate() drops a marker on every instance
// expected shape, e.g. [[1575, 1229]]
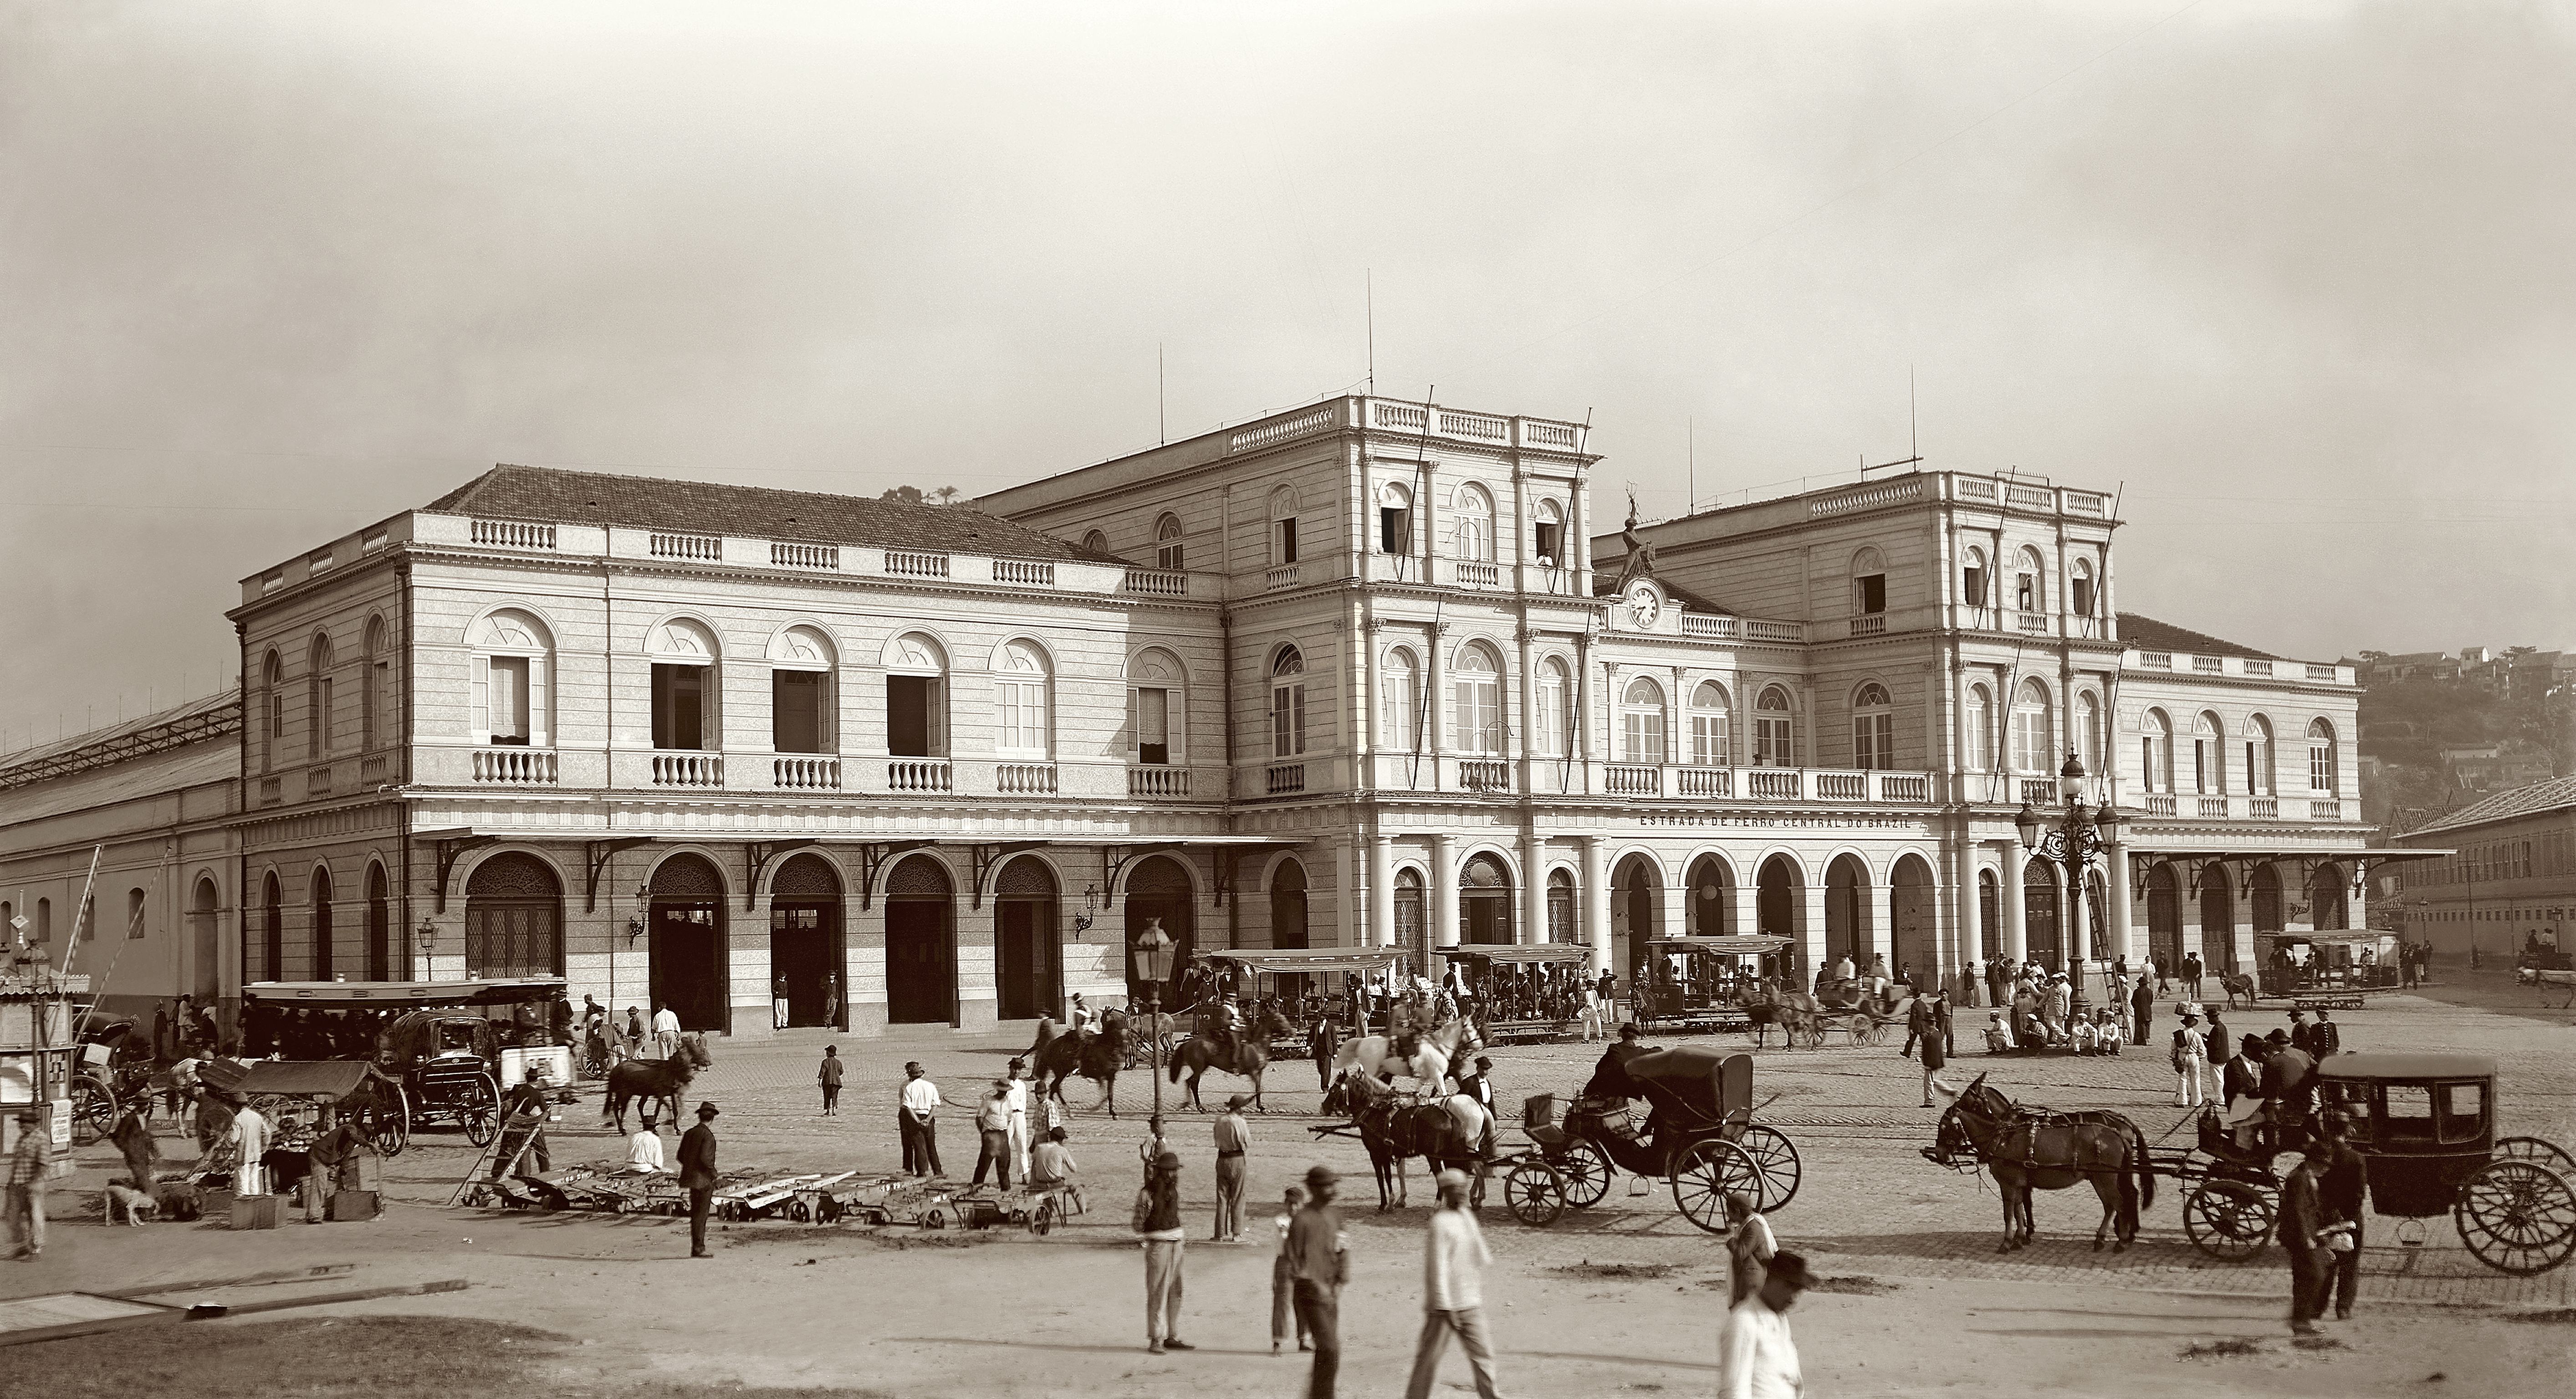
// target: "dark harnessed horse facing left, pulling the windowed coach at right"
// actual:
[[2049, 1153]]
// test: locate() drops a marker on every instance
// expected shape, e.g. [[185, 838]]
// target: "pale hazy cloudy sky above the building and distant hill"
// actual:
[[2294, 280]]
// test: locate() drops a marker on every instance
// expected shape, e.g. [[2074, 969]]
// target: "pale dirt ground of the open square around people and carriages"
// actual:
[[1622, 1300]]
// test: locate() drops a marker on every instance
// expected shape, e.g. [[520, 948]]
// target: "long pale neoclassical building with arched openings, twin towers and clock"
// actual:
[[1361, 674]]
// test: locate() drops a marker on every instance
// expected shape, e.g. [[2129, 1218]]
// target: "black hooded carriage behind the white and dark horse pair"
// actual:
[[1699, 1137]]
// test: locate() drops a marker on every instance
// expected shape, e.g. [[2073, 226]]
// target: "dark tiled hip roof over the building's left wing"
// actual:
[[650, 504]]
